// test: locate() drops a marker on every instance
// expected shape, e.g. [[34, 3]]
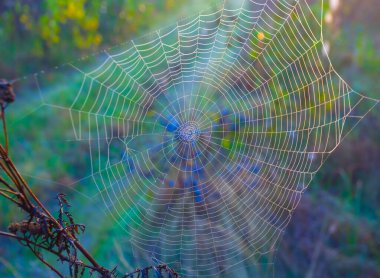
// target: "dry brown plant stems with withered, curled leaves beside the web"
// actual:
[[41, 232]]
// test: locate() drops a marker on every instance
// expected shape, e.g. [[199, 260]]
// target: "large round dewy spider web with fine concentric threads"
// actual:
[[201, 137]]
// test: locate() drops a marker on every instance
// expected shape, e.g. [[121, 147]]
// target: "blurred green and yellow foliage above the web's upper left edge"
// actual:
[[34, 34]]
